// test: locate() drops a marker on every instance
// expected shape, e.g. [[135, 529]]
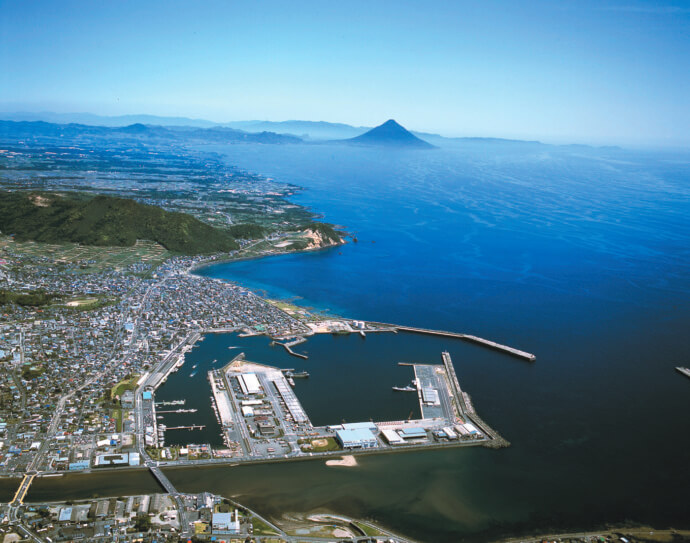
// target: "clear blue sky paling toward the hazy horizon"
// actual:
[[597, 72]]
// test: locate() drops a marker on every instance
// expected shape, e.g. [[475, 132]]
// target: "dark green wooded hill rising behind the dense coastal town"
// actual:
[[105, 221]]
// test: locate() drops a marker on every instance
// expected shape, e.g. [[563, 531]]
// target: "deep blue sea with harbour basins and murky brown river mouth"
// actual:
[[579, 255]]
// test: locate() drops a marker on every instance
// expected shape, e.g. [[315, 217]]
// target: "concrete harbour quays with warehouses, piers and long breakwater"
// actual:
[[263, 420]]
